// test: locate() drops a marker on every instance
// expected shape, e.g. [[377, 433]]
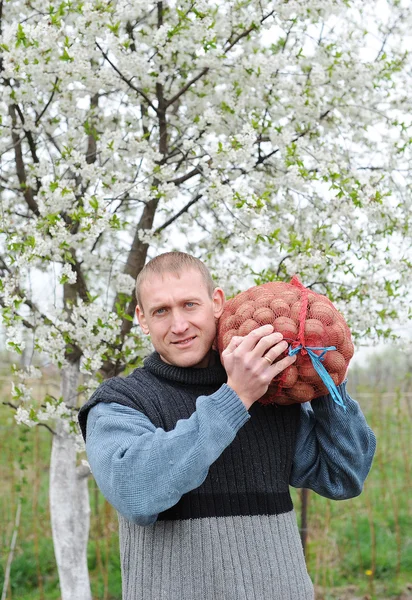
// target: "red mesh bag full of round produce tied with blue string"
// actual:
[[313, 327]]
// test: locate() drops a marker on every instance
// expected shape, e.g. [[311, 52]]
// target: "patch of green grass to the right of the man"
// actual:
[[366, 542]]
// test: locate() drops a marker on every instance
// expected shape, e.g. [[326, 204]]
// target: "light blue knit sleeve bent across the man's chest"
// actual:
[[143, 470]]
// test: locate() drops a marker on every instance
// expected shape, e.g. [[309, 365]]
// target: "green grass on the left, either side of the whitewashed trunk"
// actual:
[[24, 464]]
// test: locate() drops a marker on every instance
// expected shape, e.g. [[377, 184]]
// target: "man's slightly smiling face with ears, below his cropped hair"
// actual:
[[180, 316]]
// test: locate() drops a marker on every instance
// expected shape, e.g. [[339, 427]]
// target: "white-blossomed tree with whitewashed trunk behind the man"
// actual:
[[266, 137]]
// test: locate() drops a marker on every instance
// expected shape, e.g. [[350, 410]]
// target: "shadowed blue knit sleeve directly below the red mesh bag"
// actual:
[[334, 449]]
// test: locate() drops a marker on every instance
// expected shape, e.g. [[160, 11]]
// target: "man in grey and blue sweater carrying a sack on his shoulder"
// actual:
[[198, 471]]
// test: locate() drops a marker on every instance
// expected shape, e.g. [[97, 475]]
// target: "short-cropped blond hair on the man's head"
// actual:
[[173, 262]]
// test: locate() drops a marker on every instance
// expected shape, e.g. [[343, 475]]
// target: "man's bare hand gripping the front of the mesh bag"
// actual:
[[248, 359]]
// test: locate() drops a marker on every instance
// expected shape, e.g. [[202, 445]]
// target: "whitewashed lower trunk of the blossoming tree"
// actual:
[[69, 504]]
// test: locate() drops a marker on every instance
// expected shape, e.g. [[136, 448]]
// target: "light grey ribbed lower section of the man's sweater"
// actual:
[[225, 558]]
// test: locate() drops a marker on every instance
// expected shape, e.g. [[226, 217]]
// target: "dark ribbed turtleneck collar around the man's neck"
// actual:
[[213, 375]]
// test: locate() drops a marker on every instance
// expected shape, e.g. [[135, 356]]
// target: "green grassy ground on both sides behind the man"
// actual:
[[360, 548]]
